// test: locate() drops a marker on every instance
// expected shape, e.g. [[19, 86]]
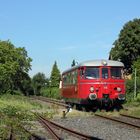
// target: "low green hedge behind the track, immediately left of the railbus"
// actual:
[[51, 92]]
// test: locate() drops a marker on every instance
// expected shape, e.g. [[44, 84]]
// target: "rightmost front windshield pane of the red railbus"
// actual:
[[116, 73]]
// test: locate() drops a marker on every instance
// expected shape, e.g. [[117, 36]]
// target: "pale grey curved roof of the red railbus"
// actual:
[[101, 62]]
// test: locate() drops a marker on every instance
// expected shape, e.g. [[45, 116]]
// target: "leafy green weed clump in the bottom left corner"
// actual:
[[9, 118]]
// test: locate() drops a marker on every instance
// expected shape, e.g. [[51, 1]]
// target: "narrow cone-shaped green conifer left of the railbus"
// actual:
[[55, 76]]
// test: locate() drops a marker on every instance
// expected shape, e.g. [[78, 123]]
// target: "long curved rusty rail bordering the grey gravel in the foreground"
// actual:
[[70, 131]]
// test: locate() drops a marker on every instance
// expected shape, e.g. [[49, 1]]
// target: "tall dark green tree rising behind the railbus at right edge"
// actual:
[[127, 46]]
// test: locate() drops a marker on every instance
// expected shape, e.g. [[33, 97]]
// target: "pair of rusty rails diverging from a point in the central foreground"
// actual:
[[50, 126]]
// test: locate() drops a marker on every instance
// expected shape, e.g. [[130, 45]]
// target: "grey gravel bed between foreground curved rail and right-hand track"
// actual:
[[100, 128]]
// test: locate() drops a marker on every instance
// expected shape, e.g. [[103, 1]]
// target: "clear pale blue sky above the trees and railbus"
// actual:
[[63, 30]]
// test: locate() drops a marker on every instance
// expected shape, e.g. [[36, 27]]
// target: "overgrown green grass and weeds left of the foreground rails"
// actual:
[[16, 111]]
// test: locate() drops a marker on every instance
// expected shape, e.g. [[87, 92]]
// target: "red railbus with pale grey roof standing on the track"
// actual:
[[94, 83]]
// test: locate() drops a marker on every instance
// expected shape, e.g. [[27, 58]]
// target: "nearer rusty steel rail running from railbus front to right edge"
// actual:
[[118, 120]]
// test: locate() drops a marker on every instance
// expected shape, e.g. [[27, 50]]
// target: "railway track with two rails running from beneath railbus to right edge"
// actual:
[[124, 119]]
